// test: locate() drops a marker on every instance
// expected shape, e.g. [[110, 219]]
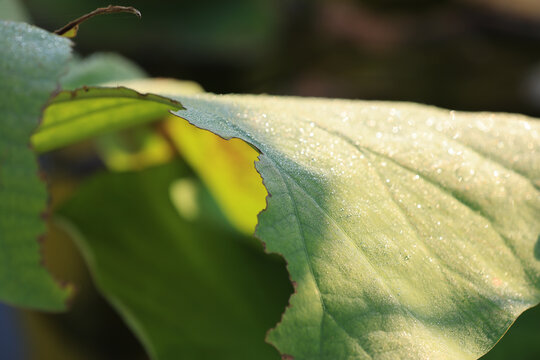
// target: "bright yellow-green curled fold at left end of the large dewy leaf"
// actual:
[[90, 111]]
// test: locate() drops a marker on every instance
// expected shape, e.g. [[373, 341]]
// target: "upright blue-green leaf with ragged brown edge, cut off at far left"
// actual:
[[31, 63]]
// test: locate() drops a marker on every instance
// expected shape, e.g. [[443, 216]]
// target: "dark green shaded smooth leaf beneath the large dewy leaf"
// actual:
[[189, 288]]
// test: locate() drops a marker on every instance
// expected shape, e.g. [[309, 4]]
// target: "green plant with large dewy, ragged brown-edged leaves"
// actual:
[[408, 231]]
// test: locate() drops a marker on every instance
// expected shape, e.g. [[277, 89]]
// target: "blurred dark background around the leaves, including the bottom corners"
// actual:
[[459, 54]]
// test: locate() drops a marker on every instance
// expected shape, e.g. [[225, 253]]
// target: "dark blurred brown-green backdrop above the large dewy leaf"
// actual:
[[460, 54]]
